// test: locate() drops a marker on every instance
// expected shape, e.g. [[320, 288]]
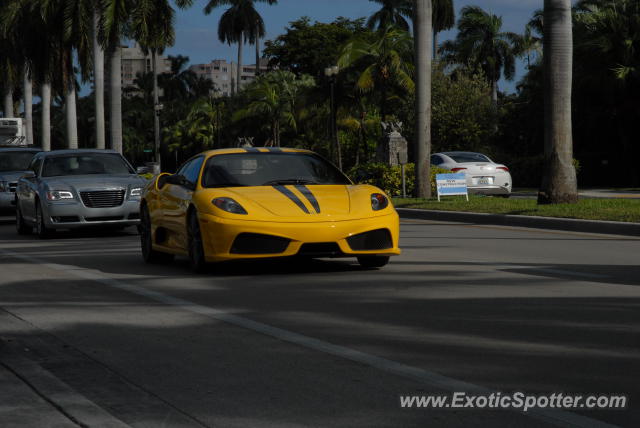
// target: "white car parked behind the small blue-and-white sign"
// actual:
[[483, 175]]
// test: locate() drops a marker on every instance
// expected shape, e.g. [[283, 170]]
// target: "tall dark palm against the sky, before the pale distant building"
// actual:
[[239, 24]]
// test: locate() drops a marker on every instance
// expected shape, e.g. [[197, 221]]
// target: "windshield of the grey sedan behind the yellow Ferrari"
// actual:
[[85, 164]]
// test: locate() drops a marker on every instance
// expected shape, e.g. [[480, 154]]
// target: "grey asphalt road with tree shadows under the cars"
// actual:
[[326, 343]]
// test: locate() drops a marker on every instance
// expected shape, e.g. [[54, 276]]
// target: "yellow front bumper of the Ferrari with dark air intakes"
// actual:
[[220, 234]]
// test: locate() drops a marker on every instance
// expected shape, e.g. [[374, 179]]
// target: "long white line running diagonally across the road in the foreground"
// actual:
[[553, 416]]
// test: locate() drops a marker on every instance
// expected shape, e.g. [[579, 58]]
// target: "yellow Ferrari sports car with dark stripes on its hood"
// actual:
[[250, 203]]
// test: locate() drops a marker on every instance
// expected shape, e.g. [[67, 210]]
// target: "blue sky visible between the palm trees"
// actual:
[[196, 33]]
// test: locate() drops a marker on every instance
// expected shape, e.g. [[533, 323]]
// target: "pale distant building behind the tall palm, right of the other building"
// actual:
[[223, 74]]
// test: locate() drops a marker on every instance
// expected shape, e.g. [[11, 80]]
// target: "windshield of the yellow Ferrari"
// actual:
[[267, 169]]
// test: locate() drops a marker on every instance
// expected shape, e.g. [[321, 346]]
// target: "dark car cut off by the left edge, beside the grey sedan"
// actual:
[[14, 162]]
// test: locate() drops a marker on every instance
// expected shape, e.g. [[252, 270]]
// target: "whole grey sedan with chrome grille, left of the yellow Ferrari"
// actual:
[[67, 189]]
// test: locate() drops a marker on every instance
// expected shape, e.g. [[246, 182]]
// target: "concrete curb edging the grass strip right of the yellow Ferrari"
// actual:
[[567, 224]]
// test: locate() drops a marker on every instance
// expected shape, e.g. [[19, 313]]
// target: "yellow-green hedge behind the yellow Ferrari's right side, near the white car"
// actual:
[[389, 178]]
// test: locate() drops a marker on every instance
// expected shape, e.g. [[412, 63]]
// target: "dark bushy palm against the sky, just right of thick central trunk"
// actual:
[[481, 43]]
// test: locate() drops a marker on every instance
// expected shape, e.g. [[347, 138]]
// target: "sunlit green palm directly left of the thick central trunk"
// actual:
[[385, 63]]
